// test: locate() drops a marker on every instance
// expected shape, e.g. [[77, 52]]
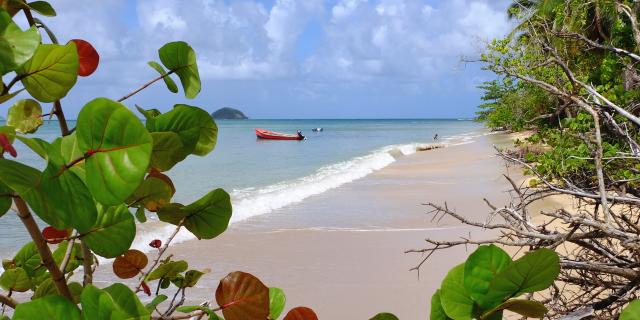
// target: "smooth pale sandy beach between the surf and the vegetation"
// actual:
[[342, 252]]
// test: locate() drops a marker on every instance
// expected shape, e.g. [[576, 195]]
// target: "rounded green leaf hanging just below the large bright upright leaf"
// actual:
[[113, 232]]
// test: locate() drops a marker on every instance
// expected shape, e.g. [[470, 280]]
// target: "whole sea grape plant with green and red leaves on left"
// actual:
[[97, 177]]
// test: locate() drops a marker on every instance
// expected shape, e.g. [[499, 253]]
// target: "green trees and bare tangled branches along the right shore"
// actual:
[[568, 73]]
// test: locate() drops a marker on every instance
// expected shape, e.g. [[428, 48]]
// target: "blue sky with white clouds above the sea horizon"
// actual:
[[291, 59]]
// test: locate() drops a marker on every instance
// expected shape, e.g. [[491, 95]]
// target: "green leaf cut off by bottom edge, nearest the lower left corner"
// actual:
[[49, 307]]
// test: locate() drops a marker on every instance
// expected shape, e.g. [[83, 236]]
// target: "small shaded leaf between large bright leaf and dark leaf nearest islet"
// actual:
[[168, 150]]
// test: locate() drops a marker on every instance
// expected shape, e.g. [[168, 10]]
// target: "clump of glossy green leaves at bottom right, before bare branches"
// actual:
[[489, 282]]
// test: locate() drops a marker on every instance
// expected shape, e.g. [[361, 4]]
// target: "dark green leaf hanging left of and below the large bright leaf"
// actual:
[[68, 198]]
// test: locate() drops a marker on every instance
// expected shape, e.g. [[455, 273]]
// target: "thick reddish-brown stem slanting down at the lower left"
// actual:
[[45, 253]]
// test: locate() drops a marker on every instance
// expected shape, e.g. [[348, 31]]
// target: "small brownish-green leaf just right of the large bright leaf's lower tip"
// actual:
[[153, 193]]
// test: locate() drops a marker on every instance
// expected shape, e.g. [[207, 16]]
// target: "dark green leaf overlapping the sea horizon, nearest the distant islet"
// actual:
[[196, 128]]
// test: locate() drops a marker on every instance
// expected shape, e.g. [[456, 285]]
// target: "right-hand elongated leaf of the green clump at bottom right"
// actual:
[[535, 271]]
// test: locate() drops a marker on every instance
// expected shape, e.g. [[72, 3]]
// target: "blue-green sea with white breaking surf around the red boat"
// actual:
[[263, 176]]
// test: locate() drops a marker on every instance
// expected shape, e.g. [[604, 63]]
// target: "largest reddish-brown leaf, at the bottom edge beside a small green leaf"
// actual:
[[242, 296]]
